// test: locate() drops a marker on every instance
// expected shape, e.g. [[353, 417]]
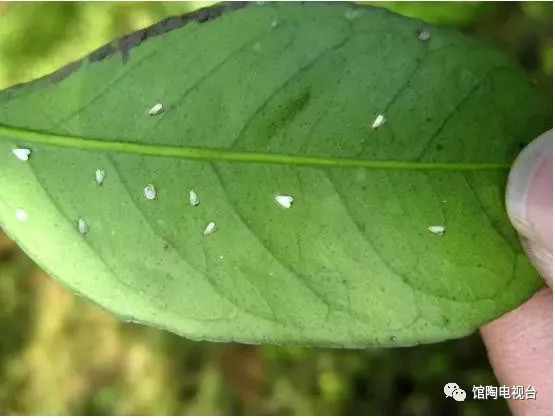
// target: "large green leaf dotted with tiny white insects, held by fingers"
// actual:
[[276, 99]]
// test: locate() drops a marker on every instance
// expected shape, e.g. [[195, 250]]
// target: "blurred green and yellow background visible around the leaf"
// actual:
[[60, 354]]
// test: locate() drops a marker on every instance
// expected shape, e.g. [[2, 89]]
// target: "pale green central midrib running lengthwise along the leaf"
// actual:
[[225, 155]]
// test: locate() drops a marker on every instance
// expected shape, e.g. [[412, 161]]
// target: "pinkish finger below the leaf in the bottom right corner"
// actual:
[[520, 349]]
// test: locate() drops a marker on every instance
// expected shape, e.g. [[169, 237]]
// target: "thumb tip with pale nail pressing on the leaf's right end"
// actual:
[[529, 201]]
